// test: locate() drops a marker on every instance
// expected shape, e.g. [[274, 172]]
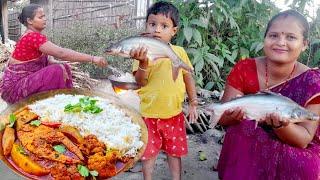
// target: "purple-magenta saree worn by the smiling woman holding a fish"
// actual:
[[256, 153]]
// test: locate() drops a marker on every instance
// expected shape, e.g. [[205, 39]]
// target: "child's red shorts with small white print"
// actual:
[[168, 135]]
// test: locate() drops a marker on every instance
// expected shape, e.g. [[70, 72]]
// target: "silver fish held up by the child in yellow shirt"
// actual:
[[156, 49]]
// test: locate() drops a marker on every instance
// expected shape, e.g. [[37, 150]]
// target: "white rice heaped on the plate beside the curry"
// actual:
[[111, 126]]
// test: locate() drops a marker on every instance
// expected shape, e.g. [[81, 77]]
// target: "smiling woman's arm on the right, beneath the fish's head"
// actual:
[[300, 134]]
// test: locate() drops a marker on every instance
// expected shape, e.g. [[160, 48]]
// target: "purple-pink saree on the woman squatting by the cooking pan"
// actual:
[[24, 79]]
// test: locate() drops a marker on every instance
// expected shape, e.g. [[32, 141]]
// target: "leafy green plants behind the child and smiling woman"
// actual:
[[218, 33]]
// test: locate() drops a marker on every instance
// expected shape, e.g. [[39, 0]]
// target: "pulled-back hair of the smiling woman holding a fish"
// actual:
[[293, 13]]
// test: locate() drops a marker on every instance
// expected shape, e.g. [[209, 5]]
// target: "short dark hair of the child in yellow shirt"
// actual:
[[166, 9]]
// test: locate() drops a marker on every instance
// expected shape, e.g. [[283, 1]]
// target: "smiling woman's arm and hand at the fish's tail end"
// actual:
[[231, 116]]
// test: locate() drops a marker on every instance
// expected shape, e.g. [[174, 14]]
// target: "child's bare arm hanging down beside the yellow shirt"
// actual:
[[192, 94]]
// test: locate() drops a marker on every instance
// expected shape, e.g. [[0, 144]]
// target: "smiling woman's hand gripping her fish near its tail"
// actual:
[[233, 116]]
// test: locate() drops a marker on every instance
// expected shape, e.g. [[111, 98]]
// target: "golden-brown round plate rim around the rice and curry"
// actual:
[[135, 116]]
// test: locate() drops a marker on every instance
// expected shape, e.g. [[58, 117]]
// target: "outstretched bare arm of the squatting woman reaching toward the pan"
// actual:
[[70, 55]]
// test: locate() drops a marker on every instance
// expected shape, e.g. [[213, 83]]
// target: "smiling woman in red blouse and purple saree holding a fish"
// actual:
[[276, 149]]
